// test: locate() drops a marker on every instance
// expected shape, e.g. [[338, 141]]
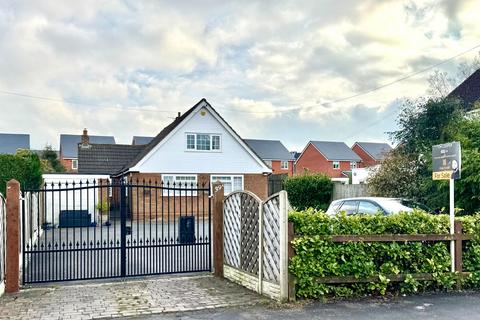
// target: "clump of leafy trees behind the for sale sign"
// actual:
[[407, 171]]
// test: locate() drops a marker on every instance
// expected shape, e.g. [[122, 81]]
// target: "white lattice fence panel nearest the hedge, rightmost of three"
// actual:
[[271, 240]]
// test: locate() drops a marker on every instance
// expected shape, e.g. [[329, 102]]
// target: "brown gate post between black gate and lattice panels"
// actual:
[[218, 196]]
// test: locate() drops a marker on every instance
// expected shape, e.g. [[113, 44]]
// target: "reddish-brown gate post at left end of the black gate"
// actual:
[[12, 272]]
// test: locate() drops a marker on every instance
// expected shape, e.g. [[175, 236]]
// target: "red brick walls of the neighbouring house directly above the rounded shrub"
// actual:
[[314, 161]]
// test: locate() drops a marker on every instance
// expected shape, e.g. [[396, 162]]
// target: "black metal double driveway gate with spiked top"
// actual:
[[100, 229]]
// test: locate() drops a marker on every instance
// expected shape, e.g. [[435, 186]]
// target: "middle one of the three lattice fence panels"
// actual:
[[249, 233]]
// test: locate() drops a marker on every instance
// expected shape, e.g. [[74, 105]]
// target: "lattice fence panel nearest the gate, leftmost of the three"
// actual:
[[231, 220]]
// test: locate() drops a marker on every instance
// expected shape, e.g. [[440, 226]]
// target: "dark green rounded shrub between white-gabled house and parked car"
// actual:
[[309, 191]]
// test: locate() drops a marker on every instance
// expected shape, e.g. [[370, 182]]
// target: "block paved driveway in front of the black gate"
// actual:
[[133, 297]]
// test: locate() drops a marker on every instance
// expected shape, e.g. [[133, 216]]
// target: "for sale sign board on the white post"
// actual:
[[447, 161]]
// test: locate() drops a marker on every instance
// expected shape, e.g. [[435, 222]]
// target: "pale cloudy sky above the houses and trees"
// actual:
[[273, 69]]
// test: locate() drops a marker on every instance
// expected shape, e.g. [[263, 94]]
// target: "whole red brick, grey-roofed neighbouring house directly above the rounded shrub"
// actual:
[[334, 159]]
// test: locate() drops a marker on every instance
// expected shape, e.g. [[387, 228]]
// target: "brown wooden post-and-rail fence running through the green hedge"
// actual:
[[458, 237]]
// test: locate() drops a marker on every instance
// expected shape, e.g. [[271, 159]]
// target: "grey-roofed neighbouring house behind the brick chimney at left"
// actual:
[[69, 147]]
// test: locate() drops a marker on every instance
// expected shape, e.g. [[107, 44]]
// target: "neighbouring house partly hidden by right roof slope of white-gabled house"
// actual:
[[274, 154]]
